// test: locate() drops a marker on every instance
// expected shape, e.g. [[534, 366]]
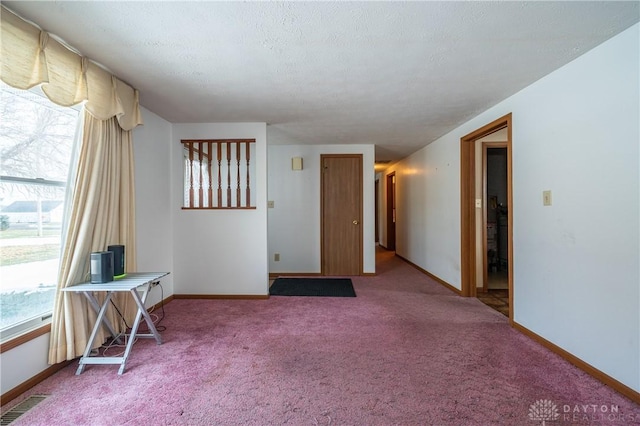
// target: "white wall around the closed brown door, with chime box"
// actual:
[[294, 222]]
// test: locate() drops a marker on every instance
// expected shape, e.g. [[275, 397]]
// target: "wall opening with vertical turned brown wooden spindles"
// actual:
[[218, 173]]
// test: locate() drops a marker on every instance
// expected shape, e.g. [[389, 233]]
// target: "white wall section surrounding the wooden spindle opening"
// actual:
[[220, 252]]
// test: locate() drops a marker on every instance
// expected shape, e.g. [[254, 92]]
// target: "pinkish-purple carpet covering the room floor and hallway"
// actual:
[[405, 351]]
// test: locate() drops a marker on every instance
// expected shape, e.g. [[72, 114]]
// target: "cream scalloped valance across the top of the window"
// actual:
[[31, 57]]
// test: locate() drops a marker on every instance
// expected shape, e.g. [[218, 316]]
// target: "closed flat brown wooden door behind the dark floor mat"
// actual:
[[341, 216]]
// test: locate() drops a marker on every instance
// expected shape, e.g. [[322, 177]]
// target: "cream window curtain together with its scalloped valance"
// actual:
[[102, 210]]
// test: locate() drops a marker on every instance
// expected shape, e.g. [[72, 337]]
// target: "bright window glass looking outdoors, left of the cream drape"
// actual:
[[36, 139]]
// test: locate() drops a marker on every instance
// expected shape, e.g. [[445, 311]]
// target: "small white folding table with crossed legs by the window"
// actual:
[[133, 283]]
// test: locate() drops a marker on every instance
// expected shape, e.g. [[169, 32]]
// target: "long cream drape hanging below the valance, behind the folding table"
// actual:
[[102, 213]]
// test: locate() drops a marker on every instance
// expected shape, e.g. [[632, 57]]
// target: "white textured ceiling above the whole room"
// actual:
[[394, 74]]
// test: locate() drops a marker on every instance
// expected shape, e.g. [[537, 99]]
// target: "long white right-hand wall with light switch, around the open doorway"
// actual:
[[577, 262]]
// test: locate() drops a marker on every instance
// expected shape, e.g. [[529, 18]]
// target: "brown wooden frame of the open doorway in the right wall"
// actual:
[[468, 210]]
